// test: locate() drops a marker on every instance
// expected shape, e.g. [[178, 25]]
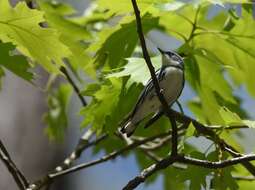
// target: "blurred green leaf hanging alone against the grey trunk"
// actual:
[[56, 117]]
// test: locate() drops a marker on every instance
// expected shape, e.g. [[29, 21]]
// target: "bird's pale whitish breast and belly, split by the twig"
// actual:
[[172, 85]]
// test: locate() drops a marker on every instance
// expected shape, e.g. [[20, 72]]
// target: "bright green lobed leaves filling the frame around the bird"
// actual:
[[102, 44]]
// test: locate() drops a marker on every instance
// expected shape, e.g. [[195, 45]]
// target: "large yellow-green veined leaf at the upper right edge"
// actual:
[[236, 47]]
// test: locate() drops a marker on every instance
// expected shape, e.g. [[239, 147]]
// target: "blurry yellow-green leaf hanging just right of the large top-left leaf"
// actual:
[[72, 35]]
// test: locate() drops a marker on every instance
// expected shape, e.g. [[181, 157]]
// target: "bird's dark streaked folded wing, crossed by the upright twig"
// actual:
[[149, 86]]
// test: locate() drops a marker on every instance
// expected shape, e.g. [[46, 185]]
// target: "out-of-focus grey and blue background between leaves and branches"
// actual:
[[22, 131]]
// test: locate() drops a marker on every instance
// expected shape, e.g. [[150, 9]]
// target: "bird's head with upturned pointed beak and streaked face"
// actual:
[[171, 58]]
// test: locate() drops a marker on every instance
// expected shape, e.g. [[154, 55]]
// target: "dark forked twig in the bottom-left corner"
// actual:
[[17, 175]]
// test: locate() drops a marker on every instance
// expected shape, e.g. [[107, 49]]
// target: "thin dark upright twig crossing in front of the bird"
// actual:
[[154, 78]]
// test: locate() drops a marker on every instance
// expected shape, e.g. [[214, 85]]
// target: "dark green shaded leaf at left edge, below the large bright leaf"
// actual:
[[14, 63]]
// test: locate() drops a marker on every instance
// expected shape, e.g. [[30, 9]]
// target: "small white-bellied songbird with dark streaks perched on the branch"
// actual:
[[171, 81]]
